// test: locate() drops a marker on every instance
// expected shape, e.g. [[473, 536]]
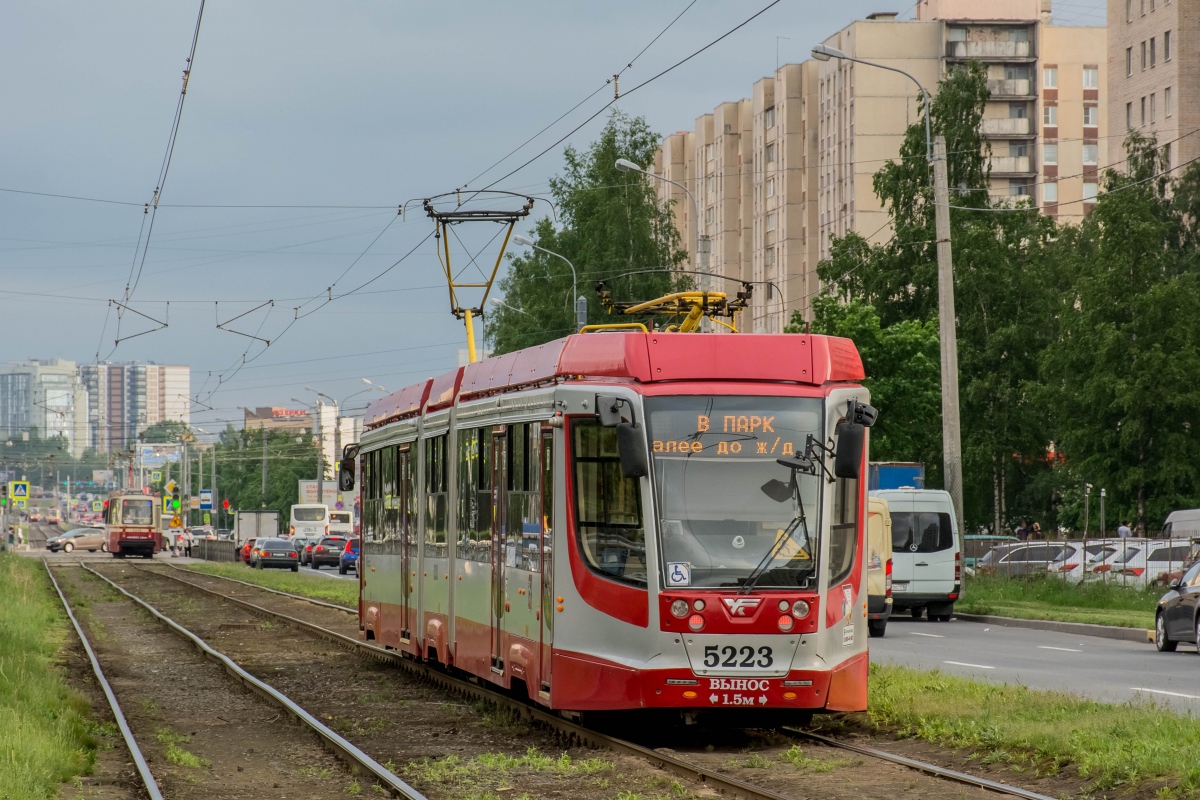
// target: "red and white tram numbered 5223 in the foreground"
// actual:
[[603, 522]]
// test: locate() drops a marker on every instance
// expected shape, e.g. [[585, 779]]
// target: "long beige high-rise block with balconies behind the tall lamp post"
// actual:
[[781, 175]]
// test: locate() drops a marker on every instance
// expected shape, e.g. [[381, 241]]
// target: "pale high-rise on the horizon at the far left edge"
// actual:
[[46, 398]]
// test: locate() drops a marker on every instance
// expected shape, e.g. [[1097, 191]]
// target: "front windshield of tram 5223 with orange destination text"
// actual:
[[712, 458]]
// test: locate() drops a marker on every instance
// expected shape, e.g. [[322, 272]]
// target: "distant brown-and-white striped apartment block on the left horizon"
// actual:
[[127, 399]]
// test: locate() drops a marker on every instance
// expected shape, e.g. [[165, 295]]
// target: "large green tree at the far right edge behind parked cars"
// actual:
[[1124, 376]]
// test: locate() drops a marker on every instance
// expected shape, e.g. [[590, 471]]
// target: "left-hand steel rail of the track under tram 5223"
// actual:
[[725, 785]]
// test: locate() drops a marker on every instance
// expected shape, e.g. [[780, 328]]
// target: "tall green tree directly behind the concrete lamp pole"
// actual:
[[1004, 303]]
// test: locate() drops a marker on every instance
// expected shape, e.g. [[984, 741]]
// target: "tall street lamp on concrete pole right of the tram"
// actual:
[[935, 152]]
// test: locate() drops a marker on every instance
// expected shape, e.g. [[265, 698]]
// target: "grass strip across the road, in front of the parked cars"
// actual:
[[1045, 598]]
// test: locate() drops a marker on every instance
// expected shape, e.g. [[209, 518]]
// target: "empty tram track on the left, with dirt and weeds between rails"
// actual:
[[177, 688]]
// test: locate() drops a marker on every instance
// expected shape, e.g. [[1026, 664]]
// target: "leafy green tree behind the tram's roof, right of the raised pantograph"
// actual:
[[610, 226]]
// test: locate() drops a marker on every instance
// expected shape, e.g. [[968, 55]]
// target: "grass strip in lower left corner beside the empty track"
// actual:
[[45, 737]]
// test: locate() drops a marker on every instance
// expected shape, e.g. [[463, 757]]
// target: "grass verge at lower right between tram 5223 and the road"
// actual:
[[1107, 745]]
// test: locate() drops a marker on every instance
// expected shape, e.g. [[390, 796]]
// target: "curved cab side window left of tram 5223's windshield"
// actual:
[[608, 506]]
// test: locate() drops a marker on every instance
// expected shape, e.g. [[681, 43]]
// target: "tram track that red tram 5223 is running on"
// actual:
[[700, 774]]
